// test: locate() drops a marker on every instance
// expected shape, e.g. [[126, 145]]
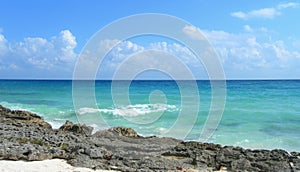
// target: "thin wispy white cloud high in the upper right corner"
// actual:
[[265, 13]]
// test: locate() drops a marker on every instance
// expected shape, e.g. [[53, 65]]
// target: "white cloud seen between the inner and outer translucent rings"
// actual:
[[127, 49]]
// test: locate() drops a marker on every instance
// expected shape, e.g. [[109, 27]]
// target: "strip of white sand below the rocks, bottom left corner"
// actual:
[[54, 165]]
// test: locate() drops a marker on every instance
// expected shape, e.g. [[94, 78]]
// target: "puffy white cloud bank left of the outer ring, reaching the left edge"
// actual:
[[38, 55]]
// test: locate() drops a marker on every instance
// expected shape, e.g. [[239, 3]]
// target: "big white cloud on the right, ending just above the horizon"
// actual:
[[240, 52]]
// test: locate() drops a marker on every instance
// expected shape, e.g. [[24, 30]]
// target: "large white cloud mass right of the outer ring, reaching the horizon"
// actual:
[[253, 53]]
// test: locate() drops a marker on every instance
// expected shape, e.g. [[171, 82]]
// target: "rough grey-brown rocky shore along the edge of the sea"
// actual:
[[26, 136]]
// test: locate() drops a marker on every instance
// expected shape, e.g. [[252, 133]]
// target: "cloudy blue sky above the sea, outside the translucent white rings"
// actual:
[[253, 39]]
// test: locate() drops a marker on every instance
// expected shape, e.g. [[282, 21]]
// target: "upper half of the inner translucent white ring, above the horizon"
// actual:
[[153, 60]]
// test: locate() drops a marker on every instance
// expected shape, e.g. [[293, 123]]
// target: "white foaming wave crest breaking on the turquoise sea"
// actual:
[[131, 110]]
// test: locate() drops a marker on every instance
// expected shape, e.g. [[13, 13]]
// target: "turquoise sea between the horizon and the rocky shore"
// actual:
[[258, 114]]
